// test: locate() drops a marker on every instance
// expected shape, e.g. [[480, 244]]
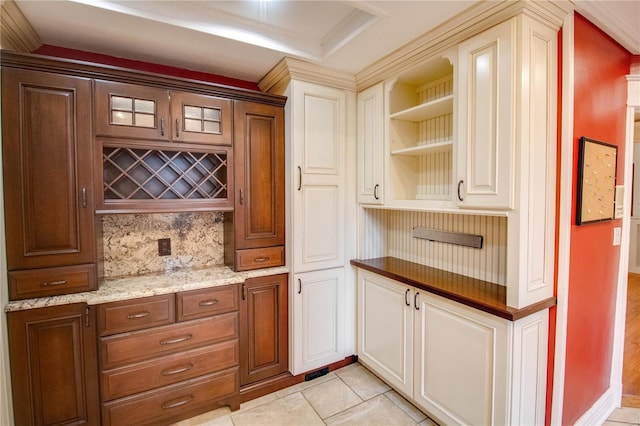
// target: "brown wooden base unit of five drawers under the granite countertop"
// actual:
[[169, 357]]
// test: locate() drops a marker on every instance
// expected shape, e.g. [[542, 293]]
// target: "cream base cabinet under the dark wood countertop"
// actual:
[[459, 364]]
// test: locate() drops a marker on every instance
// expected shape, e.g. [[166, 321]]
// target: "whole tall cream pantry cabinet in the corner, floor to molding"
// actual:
[[320, 181]]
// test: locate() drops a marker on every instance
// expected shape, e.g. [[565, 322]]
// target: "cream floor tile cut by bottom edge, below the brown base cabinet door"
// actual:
[[292, 410]]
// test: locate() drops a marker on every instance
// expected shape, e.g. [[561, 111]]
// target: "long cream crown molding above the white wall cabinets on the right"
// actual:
[[477, 18]]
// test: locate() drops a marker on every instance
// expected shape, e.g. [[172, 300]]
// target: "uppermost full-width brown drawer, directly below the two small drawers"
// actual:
[[146, 344]]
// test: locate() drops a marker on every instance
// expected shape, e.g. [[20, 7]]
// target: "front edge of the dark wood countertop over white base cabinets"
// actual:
[[506, 312]]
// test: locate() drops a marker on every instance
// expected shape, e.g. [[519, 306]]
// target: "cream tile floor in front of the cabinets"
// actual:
[[348, 396]]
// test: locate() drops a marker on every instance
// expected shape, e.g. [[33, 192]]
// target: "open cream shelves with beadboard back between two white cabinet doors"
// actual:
[[420, 105]]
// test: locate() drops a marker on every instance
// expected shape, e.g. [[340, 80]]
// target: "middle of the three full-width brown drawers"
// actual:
[[169, 369]]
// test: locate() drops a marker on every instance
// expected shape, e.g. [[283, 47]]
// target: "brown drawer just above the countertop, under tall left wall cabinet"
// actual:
[[52, 281]]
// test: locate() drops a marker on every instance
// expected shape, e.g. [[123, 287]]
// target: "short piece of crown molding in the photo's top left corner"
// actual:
[[16, 33]]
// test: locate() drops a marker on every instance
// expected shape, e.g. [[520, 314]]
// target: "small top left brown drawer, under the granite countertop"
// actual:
[[130, 315]]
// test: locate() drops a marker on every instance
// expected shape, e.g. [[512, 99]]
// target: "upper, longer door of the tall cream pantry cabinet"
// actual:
[[318, 176]]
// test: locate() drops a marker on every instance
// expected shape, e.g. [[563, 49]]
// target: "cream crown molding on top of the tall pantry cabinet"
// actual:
[[277, 80]]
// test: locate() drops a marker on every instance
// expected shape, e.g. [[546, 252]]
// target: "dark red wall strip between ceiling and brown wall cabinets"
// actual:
[[80, 55]]
